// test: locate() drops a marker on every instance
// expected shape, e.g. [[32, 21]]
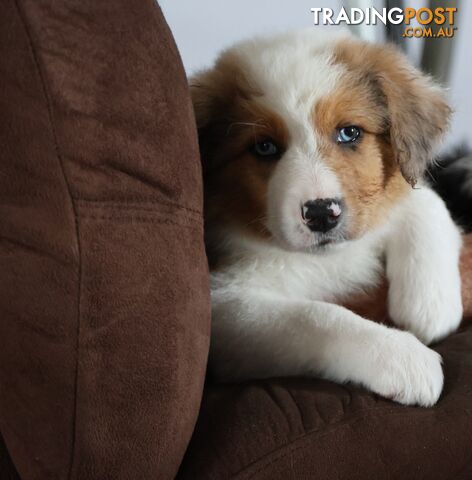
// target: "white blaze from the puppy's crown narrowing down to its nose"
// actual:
[[292, 72]]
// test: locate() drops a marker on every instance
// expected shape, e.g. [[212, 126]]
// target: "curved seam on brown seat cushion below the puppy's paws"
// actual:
[[289, 448]]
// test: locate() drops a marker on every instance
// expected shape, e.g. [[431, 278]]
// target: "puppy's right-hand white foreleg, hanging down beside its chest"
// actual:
[[423, 268]]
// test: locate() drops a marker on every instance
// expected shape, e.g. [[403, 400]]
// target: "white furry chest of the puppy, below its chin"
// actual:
[[319, 276]]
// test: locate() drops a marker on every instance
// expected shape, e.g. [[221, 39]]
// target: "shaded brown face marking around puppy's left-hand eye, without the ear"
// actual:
[[236, 189]]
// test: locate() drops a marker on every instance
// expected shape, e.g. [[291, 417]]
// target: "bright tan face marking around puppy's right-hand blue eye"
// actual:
[[370, 178]]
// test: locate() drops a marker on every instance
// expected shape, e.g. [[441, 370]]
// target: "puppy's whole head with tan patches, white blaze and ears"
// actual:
[[310, 139]]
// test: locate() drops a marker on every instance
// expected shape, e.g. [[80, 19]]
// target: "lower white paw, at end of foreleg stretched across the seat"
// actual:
[[405, 370]]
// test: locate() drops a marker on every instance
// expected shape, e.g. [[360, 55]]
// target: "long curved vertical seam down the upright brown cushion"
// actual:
[[47, 99]]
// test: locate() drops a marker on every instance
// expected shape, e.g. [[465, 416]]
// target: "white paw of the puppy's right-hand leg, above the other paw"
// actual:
[[429, 313]]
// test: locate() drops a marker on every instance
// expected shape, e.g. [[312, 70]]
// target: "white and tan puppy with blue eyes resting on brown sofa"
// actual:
[[314, 145]]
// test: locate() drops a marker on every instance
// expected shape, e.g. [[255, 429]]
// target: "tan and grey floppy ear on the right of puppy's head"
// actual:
[[418, 114]]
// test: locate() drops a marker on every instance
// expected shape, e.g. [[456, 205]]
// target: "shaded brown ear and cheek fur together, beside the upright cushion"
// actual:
[[230, 121]]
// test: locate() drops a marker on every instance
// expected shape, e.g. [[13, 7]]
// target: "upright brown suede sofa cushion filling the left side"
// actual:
[[104, 306]]
